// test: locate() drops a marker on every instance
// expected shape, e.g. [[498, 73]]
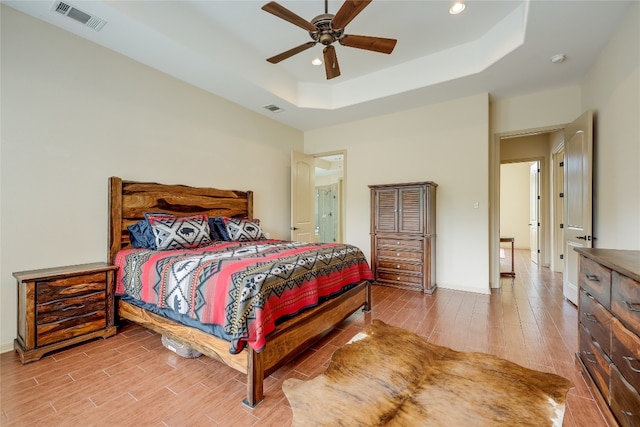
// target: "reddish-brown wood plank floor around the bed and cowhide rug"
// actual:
[[131, 379]]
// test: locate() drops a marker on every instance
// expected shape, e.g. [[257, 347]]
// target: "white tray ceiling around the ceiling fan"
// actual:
[[500, 47]]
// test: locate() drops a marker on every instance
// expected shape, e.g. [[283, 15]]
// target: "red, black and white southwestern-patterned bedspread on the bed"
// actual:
[[243, 287]]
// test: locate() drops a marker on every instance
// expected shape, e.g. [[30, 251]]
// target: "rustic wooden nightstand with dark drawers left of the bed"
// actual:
[[62, 306]]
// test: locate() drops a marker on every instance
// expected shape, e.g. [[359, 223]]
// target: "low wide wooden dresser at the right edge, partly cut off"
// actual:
[[609, 329]]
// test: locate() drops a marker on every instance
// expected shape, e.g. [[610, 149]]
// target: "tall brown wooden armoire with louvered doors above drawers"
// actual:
[[403, 235]]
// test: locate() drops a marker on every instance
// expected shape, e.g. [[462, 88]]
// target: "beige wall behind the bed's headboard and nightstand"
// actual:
[[74, 113]]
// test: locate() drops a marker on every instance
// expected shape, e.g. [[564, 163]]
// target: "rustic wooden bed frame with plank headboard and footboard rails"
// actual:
[[129, 200]]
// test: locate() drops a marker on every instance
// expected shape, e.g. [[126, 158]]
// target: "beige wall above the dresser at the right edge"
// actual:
[[612, 90]]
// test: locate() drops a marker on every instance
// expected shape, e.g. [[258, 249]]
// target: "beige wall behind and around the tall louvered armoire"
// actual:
[[444, 143]]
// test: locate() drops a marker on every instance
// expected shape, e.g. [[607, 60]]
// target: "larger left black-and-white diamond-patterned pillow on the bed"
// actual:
[[180, 232]]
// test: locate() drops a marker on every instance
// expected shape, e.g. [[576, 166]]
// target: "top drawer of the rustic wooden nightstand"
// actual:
[[52, 290]]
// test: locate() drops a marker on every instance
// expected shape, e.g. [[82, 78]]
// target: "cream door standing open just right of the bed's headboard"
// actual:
[[302, 197]]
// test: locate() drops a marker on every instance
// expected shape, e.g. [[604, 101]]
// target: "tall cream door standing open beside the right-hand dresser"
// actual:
[[577, 198]]
